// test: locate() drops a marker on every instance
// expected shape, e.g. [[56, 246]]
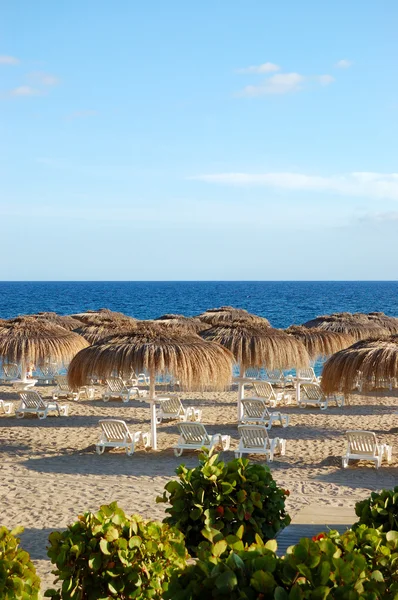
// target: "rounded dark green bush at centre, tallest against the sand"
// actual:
[[224, 496]]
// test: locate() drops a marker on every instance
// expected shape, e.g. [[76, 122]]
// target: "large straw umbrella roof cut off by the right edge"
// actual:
[[371, 361]]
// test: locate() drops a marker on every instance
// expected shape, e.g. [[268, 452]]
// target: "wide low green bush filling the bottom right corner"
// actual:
[[359, 565]]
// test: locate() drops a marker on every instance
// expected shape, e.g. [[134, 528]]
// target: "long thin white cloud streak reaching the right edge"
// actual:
[[364, 184]]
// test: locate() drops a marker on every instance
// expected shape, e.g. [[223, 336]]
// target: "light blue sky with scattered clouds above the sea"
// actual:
[[222, 140]]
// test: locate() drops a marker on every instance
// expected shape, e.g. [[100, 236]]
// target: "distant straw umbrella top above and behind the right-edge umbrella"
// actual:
[[357, 324]]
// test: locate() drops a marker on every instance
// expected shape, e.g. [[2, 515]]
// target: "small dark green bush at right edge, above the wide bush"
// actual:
[[380, 510]]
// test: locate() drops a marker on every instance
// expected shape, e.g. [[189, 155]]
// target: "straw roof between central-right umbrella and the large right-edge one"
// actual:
[[320, 342]]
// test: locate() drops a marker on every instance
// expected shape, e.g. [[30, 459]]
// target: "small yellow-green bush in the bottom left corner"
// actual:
[[18, 579]]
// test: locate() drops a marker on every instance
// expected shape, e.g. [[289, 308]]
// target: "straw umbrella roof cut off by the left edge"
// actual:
[[27, 338]]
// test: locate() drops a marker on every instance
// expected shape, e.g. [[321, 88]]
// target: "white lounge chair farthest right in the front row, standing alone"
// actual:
[[363, 445]]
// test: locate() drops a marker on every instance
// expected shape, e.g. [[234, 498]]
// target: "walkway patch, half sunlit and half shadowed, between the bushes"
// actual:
[[313, 519]]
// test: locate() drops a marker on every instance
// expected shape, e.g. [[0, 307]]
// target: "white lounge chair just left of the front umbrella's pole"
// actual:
[[116, 434]]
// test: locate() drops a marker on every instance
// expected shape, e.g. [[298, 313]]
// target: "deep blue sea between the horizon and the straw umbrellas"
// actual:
[[282, 302]]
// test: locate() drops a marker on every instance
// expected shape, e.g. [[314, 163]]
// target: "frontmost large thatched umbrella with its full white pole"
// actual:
[[195, 363]]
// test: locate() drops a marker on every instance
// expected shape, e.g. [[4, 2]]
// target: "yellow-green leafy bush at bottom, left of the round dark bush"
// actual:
[[110, 555]]
